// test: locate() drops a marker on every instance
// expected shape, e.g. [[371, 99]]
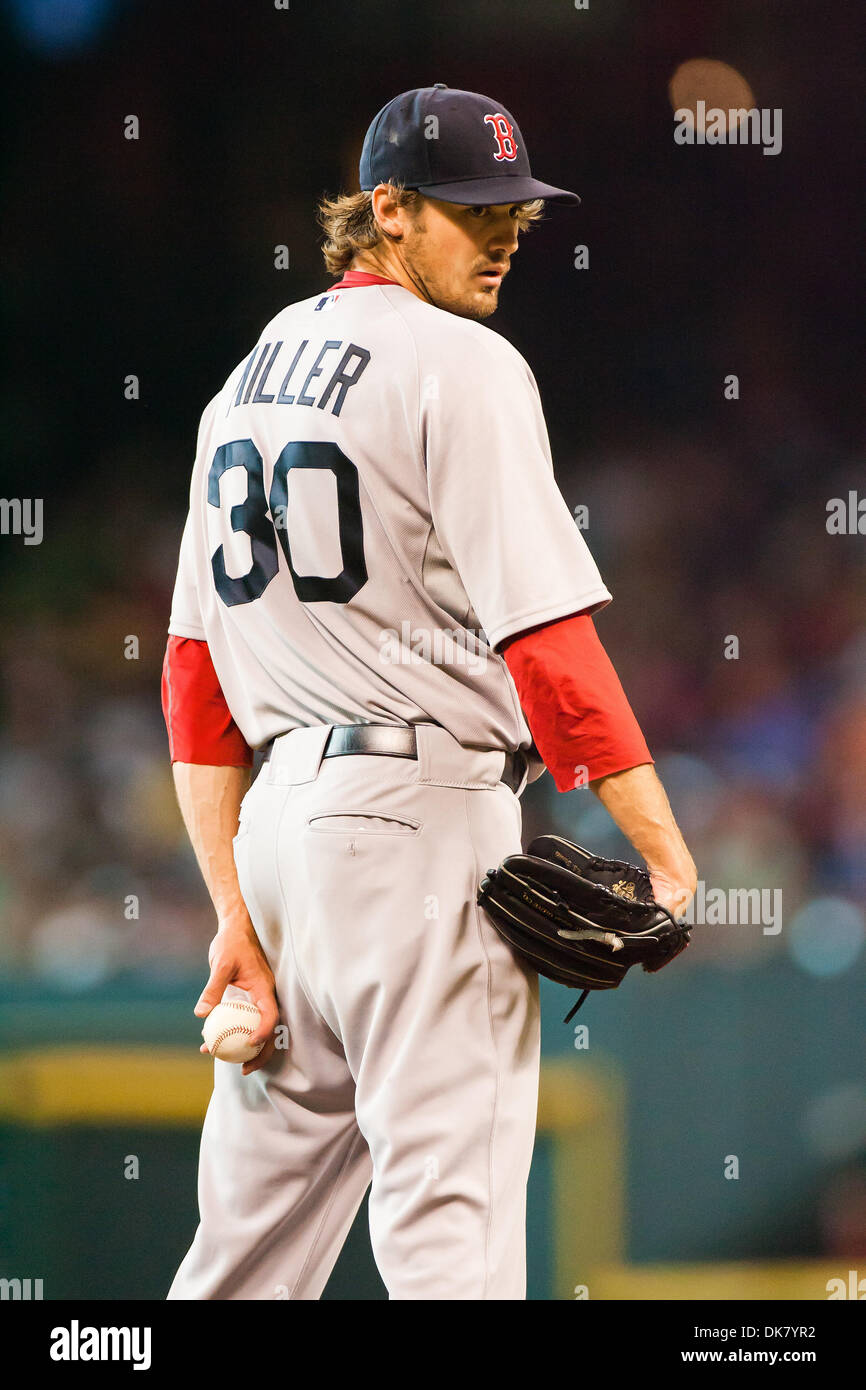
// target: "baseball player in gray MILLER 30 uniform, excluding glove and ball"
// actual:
[[382, 587]]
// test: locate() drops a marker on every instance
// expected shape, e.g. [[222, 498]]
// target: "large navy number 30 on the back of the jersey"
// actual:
[[254, 519]]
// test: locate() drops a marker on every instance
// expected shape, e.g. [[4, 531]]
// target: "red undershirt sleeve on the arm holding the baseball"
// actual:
[[199, 722]]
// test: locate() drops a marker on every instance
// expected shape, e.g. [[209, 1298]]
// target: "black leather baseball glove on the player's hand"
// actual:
[[578, 918]]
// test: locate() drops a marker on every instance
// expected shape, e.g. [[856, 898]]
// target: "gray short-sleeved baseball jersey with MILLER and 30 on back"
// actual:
[[373, 511]]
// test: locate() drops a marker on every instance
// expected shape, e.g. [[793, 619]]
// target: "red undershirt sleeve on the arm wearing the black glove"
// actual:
[[573, 703]]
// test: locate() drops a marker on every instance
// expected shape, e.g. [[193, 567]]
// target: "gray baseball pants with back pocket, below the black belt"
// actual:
[[412, 1036]]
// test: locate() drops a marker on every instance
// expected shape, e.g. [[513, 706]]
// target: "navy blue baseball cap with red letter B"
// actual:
[[457, 147]]
